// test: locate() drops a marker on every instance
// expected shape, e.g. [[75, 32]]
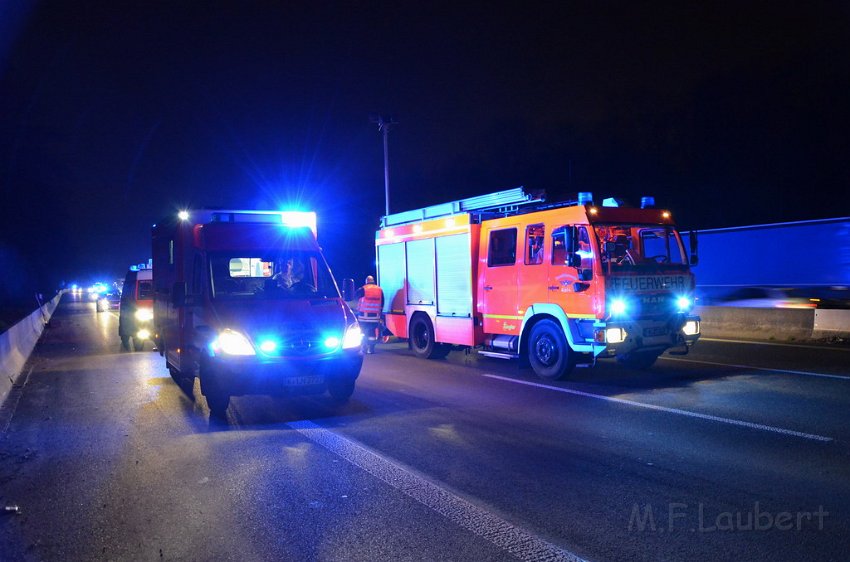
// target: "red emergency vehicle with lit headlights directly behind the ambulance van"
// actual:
[[135, 319]]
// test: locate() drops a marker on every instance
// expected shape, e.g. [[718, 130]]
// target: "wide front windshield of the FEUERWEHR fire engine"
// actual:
[[633, 246]]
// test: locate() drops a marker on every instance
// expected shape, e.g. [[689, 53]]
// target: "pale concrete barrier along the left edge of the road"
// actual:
[[17, 343]]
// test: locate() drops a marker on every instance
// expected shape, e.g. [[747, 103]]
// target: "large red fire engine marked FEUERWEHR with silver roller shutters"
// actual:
[[558, 284]]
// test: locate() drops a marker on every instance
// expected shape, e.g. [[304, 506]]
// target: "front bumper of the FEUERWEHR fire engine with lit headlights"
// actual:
[[623, 337]]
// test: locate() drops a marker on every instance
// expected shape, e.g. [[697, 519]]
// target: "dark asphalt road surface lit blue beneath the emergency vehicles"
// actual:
[[738, 451]]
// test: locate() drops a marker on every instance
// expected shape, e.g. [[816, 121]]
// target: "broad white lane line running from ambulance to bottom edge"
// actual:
[[508, 537]]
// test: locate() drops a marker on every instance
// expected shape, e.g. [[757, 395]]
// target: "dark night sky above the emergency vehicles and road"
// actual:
[[115, 114]]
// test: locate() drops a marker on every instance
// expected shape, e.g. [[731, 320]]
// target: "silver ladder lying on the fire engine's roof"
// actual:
[[504, 202]]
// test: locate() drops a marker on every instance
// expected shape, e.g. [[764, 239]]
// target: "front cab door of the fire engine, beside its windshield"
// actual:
[[566, 289]]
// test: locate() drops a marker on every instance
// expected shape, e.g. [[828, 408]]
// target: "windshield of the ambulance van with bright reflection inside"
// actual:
[[254, 275]]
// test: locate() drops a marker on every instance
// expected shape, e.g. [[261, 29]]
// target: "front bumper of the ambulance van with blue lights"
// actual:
[[283, 376]]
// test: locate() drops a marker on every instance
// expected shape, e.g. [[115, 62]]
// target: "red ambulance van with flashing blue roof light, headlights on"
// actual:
[[245, 301]]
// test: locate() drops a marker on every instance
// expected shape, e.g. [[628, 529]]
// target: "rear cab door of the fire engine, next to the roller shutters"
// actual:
[[499, 283]]
